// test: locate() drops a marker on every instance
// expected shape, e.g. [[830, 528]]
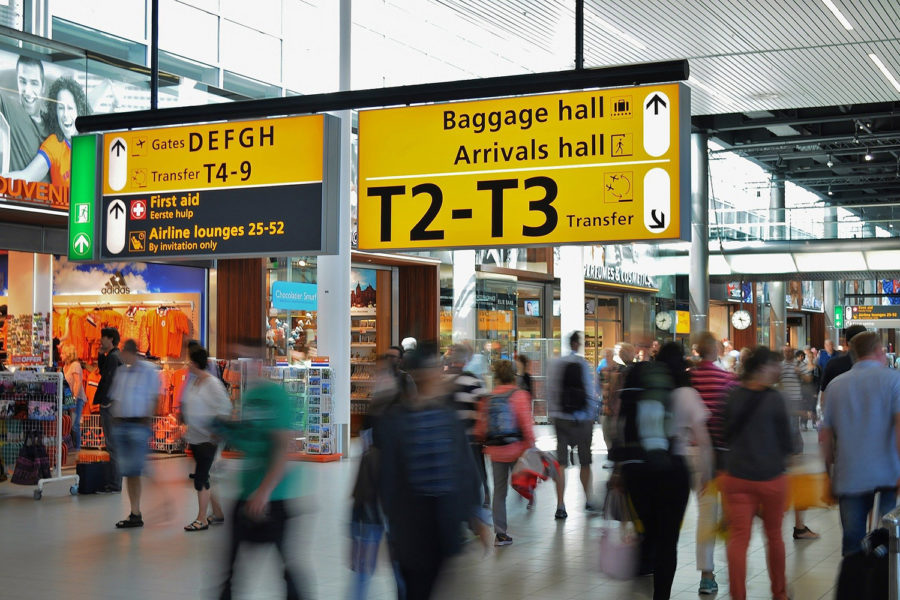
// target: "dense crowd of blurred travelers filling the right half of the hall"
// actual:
[[723, 424]]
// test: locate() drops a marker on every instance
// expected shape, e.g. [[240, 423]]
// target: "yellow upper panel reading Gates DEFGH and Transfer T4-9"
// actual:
[[221, 155]]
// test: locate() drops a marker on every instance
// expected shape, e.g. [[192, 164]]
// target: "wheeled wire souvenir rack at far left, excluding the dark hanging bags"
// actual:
[[31, 406]]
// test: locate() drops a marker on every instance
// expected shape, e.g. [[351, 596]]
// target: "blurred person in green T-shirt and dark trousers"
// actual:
[[268, 486]]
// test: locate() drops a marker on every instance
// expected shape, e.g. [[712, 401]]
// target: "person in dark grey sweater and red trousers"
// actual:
[[758, 436]]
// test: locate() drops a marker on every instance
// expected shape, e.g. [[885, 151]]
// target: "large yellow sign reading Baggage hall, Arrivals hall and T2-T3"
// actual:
[[582, 167]]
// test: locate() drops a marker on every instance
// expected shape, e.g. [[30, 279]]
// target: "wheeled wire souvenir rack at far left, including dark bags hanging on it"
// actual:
[[32, 430]]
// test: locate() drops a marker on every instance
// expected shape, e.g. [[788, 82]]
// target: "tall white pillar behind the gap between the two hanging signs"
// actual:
[[334, 271]]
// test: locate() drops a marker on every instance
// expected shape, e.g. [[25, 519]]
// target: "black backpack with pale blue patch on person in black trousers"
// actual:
[[645, 415]]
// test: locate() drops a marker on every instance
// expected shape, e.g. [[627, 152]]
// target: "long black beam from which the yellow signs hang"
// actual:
[[468, 89]]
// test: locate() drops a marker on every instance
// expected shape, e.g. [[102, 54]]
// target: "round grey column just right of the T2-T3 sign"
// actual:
[[698, 278]]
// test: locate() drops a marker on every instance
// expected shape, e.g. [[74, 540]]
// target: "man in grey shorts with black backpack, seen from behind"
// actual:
[[573, 409]]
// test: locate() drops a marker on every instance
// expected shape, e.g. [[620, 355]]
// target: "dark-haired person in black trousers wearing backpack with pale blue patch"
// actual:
[[660, 415]]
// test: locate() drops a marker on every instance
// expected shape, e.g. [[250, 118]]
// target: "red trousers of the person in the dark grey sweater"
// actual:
[[742, 499]]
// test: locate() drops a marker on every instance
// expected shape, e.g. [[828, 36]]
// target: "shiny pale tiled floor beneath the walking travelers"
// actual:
[[66, 547]]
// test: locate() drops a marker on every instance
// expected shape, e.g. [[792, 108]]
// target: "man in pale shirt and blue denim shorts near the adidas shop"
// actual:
[[134, 395]]
